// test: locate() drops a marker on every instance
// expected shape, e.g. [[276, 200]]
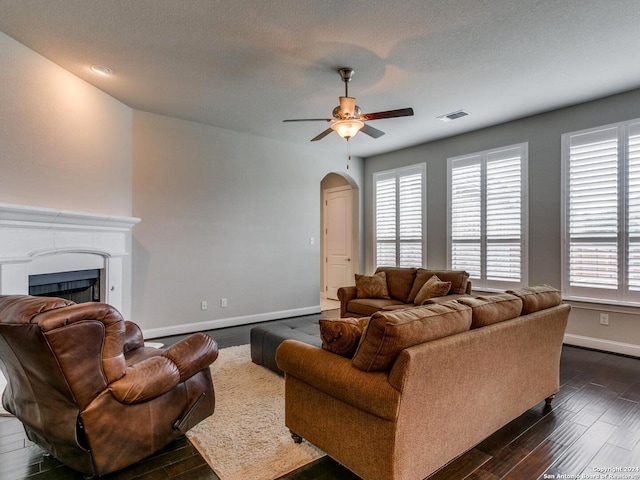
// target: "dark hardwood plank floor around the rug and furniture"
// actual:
[[594, 423]]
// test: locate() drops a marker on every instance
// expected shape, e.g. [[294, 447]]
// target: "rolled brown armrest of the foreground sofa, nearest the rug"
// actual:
[[337, 377]]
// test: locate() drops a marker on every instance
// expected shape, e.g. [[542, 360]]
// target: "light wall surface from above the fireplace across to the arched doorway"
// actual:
[[223, 214]]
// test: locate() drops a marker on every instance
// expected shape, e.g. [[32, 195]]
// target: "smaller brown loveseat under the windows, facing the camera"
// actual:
[[403, 285]]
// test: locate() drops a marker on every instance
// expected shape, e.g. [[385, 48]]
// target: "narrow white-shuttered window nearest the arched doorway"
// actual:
[[399, 202]]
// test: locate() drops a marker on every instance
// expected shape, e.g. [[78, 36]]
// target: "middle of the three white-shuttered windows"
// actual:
[[487, 216]]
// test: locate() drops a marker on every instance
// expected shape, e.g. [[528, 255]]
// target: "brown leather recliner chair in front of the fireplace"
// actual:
[[87, 389]]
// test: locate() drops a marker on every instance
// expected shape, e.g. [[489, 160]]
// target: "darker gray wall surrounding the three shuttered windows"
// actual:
[[543, 133]]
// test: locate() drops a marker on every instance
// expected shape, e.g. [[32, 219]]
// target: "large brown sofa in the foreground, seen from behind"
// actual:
[[425, 384]]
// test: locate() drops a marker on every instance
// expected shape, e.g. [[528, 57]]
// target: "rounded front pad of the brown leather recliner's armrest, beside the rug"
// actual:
[[192, 354]]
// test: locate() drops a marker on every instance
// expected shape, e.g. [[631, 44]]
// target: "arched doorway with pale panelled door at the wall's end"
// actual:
[[339, 234]]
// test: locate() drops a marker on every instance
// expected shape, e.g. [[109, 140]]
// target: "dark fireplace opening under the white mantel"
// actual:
[[79, 286]]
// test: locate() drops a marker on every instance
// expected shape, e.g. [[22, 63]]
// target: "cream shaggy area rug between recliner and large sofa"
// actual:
[[246, 438]]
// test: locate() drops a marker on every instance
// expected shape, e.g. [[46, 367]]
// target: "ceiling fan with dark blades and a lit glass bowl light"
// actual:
[[347, 117]]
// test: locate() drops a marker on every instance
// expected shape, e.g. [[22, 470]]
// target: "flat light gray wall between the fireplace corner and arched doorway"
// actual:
[[224, 215]]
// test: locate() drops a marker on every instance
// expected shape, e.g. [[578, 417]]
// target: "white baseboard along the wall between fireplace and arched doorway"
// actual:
[[227, 322]]
